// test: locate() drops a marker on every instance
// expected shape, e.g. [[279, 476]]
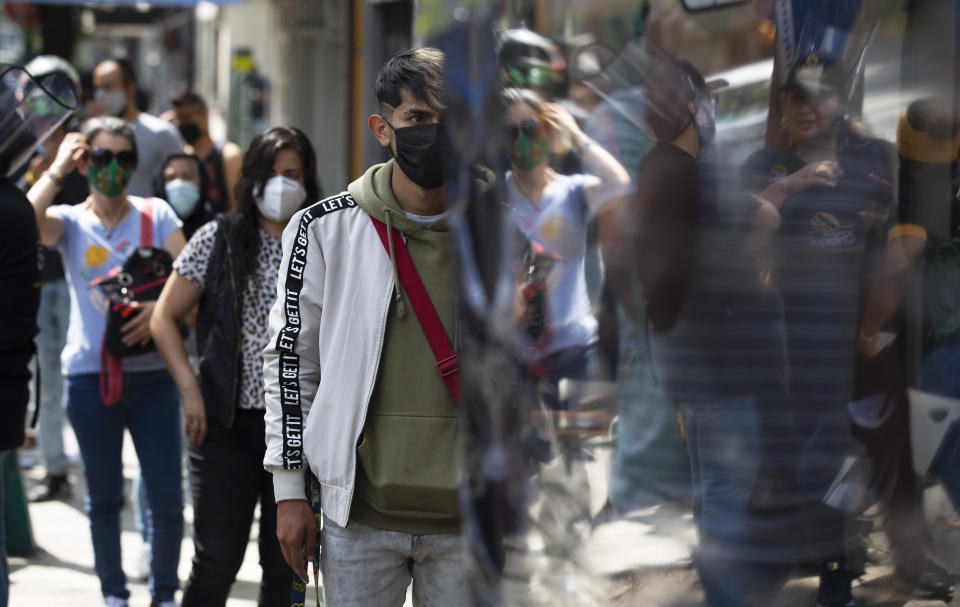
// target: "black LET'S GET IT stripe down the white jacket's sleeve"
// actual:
[[287, 338]]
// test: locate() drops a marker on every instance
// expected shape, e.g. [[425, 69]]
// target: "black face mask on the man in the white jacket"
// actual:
[[423, 152]]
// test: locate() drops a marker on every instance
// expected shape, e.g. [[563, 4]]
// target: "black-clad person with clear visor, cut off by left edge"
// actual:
[[30, 110]]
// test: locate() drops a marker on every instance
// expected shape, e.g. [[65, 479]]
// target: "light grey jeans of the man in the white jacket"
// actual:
[[370, 567]]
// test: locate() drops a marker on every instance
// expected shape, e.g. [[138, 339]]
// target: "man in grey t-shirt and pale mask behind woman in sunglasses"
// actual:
[[115, 94]]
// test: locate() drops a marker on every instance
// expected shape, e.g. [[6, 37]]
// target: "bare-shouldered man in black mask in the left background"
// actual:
[[221, 160]]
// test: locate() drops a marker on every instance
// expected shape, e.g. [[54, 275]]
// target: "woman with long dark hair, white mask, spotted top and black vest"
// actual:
[[229, 268]]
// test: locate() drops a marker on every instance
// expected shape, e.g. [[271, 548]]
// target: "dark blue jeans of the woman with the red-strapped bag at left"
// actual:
[[149, 409]]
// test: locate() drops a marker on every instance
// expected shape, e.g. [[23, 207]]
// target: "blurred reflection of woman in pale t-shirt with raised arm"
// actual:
[[553, 211]]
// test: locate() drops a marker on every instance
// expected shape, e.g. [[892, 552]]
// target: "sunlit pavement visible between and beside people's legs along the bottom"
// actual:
[[645, 558]]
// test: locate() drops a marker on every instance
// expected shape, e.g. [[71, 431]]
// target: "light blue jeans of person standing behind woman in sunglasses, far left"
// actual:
[[52, 318]]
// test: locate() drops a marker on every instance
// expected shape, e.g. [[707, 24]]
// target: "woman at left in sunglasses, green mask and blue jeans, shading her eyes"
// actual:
[[93, 238]]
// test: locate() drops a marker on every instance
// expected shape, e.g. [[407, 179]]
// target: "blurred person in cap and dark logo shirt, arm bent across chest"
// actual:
[[830, 193]]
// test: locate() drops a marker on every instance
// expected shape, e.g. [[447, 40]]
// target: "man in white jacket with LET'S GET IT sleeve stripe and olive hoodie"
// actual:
[[353, 389]]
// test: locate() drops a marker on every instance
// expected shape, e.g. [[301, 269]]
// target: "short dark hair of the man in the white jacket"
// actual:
[[418, 70]]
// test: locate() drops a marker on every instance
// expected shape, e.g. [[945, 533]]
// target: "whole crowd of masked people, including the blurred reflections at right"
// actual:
[[751, 339]]
